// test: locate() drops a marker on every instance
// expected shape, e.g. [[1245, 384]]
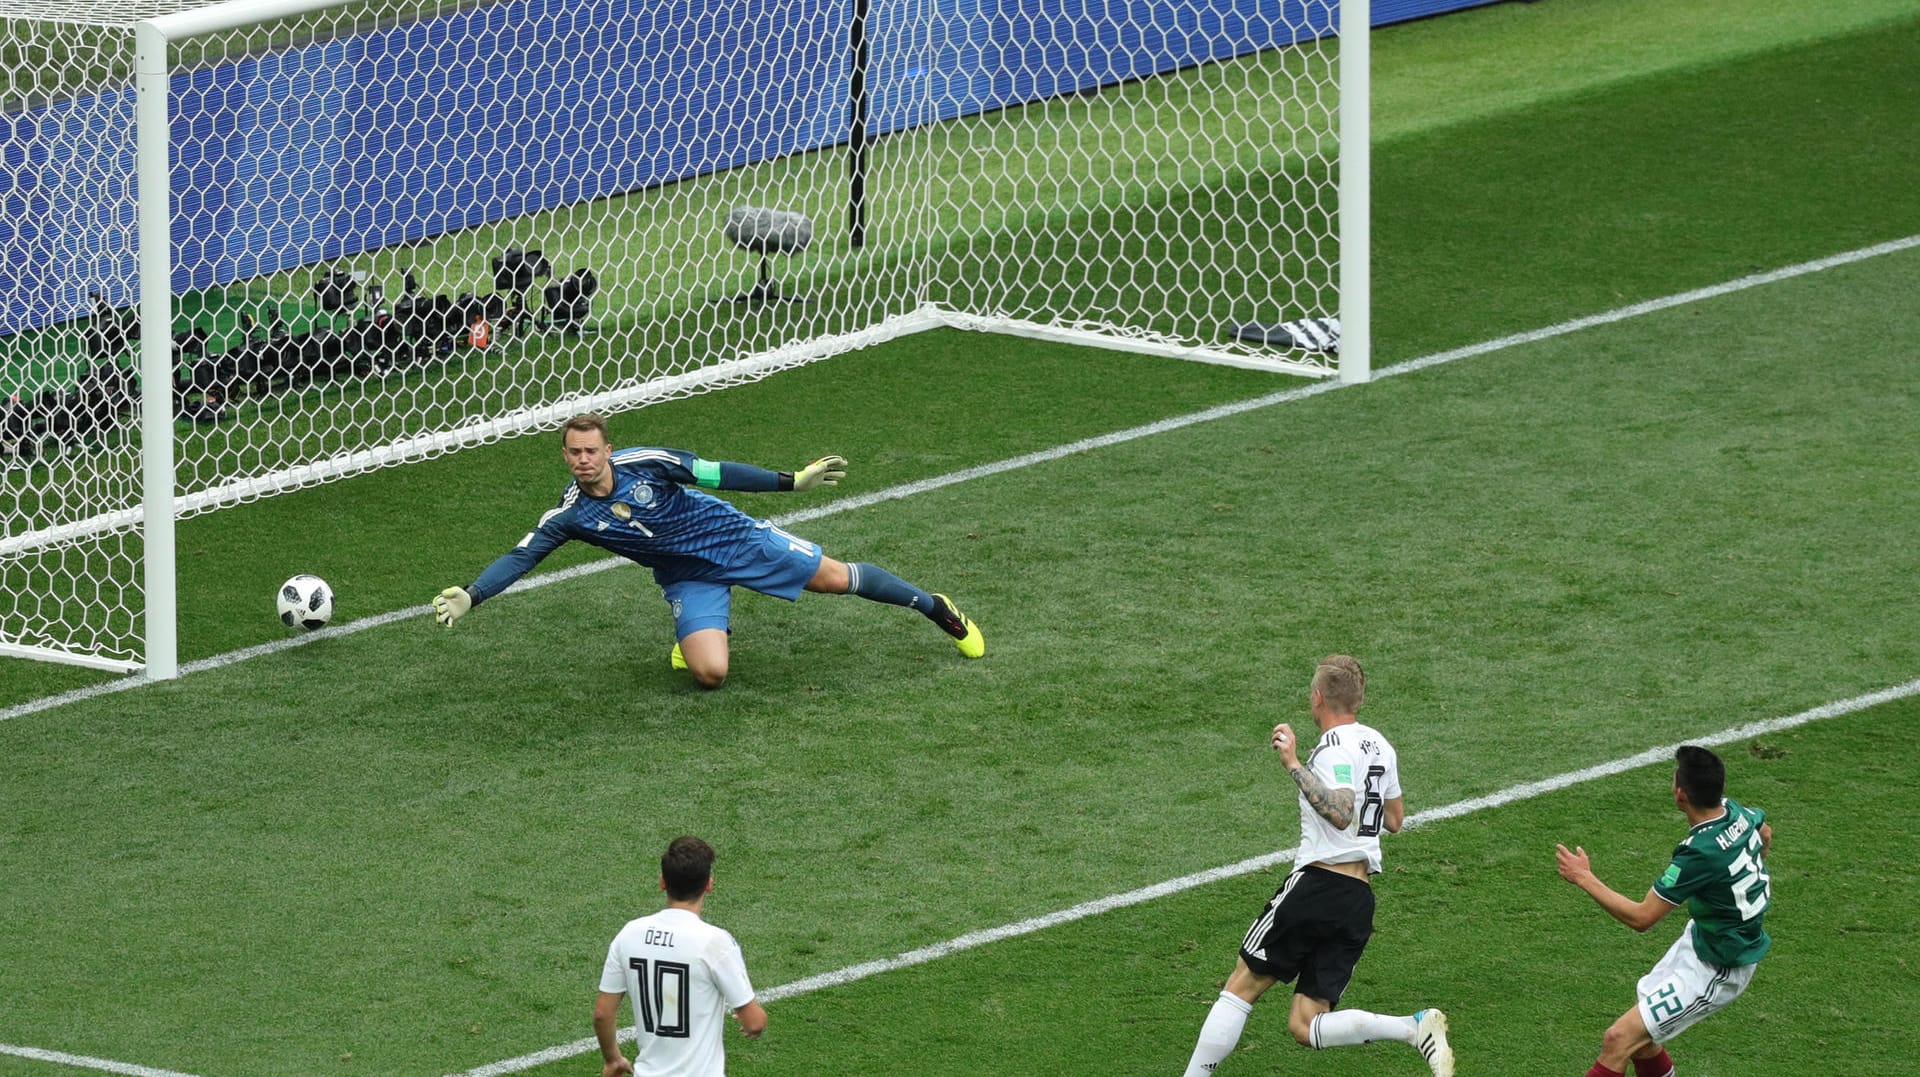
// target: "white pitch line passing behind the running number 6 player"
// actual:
[[1514, 794]]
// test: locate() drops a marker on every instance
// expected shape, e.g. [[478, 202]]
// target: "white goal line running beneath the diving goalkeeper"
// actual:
[[1030, 460]]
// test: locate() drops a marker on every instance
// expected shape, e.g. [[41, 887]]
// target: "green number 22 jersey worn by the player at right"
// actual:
[[1721, 876]]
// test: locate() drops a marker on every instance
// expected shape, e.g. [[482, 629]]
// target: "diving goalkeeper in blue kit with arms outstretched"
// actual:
[[638, 504]]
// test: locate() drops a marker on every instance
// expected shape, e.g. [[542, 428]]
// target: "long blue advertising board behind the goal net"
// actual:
[[414, 132]]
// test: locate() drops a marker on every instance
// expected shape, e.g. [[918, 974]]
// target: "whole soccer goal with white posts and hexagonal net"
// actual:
[[264, 245]]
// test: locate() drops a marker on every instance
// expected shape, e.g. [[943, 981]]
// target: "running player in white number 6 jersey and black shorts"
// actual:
[[1320, 921]]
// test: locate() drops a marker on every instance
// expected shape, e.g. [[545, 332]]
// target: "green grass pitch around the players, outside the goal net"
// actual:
[[404, 851]]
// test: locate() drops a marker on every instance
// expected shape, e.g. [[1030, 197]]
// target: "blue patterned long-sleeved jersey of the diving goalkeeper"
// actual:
[[650, 517]]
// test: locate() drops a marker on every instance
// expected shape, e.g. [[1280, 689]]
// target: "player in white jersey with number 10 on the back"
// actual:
[[683, 974]]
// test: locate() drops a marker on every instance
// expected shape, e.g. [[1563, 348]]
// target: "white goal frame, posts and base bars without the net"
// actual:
[[162, 504]]
